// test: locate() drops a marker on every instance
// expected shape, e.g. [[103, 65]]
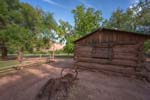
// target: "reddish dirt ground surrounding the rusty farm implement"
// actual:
[[25, 84]]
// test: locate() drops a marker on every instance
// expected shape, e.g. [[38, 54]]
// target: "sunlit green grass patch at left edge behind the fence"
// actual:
[[8, 63]]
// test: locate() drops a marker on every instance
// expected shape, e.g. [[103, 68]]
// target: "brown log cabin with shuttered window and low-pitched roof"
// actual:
[[111, 50]]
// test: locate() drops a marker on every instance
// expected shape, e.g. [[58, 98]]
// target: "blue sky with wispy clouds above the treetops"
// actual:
[[62, 8]]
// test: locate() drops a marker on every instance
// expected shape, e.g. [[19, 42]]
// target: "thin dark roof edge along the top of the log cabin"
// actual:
[[114, 30]]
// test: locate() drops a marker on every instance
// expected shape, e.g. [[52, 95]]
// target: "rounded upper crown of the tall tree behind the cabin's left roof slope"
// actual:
[[86, 19]]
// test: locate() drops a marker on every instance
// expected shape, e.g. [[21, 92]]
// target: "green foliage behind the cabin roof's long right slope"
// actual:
[[133, 19]]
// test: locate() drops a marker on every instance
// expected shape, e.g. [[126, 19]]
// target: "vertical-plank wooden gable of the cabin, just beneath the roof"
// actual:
[[102, 37]]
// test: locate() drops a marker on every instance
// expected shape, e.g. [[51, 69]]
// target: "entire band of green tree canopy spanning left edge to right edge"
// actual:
[[23, 26]]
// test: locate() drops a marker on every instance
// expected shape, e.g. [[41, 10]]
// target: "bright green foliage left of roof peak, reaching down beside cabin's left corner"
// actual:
[[86, 20]]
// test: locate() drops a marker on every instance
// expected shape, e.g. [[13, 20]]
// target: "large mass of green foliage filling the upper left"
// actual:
[[23, 26]]
